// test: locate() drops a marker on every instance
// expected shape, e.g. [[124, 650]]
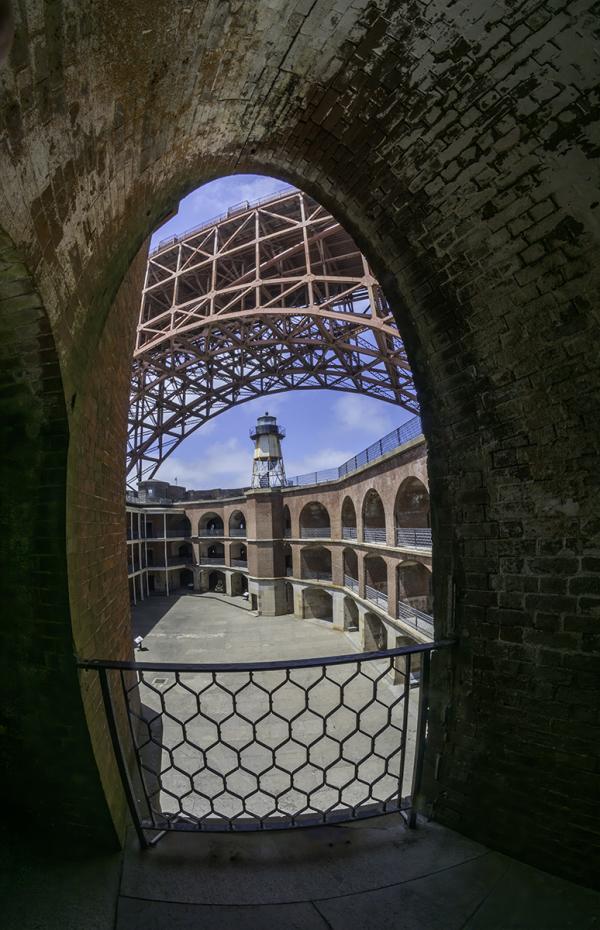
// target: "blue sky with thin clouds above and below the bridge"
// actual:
[[324, 428]]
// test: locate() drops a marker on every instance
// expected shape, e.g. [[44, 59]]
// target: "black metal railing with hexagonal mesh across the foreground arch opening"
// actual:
[[268, 745]]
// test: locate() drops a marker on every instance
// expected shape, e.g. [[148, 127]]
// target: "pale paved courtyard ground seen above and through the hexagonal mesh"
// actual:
[[271, 743]]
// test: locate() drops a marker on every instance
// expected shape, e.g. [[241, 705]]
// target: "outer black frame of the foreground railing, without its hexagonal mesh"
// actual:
[[126, 748]]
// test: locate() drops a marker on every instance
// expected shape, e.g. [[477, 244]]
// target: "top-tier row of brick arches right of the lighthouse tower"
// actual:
[[411, 517]]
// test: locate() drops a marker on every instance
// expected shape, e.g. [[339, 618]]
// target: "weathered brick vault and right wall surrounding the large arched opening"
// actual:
[[456, 141]]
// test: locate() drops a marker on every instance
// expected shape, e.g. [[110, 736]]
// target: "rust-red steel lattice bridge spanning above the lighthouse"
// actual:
[[272, 297]]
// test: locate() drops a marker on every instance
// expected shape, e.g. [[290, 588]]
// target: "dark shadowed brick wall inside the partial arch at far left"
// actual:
[[47, 769]]
